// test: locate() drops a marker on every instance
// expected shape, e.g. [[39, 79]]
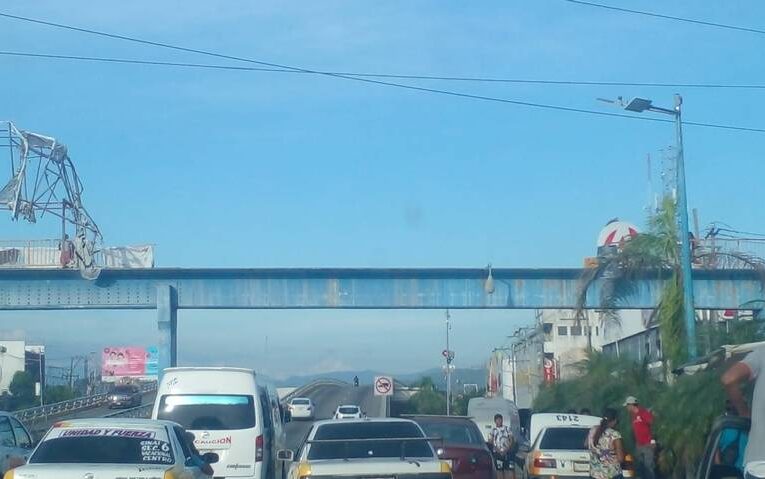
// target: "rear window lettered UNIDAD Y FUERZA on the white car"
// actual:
[[104, 446]]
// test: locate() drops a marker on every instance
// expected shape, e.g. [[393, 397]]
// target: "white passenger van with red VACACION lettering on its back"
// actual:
[[229, 414]]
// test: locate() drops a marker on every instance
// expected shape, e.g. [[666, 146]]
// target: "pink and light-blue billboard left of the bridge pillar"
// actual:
[[129, 362]]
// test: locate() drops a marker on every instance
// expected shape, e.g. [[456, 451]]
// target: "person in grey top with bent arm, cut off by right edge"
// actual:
[[750, 369]]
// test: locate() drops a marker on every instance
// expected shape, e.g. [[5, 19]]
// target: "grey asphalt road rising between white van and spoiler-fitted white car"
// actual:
[[327, 398]]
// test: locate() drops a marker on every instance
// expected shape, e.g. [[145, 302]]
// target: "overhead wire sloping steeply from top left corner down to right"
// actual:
[[372, 81]]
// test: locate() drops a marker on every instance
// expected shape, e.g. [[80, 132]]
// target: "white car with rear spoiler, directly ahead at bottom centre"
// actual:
[[354, 448]]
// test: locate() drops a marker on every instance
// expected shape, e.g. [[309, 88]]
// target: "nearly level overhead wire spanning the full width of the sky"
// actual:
[[532, 81]]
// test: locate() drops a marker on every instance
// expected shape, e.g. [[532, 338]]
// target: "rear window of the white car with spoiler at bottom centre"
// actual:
[[362, 441]]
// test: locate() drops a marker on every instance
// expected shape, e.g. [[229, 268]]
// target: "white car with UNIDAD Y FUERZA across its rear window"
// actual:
[[115, 448]]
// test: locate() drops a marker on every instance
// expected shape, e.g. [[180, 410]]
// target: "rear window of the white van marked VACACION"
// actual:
[[209, 412]]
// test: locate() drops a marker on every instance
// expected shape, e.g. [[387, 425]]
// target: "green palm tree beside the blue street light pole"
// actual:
[[655, 252]]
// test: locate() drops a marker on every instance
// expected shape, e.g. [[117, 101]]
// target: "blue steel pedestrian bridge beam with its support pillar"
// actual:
[[168, 289]]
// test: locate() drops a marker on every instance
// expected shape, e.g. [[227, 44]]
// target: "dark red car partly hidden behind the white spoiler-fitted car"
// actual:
[[463, 445]]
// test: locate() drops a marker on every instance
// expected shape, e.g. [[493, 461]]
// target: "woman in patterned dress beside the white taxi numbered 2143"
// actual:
[[606, 448]]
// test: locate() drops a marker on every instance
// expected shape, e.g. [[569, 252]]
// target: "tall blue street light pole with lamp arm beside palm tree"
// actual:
[[640, 105]]
